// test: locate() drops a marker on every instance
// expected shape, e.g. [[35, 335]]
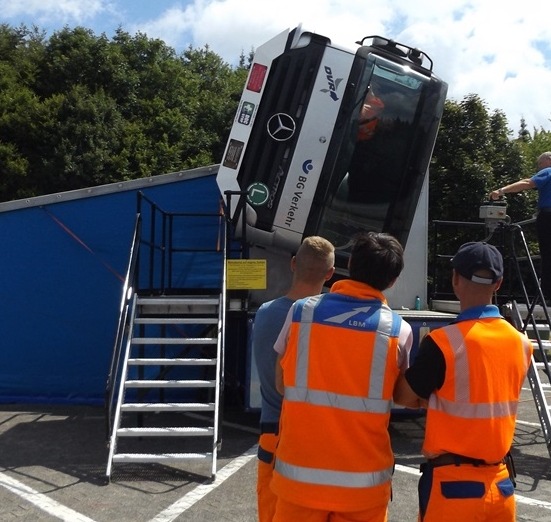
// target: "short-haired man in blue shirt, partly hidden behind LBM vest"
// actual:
[[312, 266]]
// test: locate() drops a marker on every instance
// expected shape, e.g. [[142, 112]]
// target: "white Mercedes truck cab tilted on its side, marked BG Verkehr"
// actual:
[[331, 141]]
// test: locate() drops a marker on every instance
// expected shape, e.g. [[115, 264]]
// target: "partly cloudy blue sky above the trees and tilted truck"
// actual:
[[499, 51]]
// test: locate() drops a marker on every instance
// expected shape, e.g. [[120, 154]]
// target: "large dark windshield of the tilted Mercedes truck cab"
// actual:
[[374, 168]]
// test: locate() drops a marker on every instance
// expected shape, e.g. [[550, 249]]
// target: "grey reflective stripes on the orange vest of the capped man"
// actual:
[[461, 407]]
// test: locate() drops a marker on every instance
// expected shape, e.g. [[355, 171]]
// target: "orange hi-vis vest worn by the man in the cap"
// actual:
[[474, 412]]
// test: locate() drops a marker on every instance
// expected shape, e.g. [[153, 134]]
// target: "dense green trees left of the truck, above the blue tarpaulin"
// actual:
[[78, 110]]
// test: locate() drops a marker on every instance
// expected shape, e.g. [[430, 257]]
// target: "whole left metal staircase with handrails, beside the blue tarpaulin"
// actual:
[[165, 386]]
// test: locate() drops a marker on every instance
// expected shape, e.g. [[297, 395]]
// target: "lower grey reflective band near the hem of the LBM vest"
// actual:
[[322, 477]]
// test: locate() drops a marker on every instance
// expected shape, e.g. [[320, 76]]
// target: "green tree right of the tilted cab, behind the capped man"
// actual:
[[473, 154]]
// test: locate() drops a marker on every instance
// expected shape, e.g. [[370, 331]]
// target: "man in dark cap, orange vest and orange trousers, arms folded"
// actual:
[[469, 375]]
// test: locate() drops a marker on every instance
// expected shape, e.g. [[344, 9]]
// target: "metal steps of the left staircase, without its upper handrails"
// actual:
[[153, 383]]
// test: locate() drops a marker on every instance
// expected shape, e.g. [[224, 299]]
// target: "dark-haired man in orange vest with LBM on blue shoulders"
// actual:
[[340, 354]]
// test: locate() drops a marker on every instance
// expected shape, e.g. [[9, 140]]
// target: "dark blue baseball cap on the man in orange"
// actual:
[[475, 256]]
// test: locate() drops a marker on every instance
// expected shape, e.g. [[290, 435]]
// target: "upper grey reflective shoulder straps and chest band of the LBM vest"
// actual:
[[374, 402]]
